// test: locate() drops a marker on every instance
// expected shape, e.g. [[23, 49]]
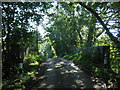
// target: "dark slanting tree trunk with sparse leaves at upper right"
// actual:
[[112, 10]]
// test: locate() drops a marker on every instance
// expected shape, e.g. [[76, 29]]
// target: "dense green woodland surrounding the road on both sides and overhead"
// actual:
[[73, 30]]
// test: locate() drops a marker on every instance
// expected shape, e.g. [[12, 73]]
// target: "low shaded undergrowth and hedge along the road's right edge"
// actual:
[[89, 59]]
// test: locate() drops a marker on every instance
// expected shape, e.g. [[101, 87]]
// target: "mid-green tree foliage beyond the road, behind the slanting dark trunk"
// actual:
[[70, 27]]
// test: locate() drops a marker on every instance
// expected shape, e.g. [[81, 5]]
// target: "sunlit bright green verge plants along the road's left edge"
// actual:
[[30, 67]]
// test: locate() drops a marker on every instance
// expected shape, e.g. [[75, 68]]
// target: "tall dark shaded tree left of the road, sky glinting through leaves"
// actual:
[[17, 31]]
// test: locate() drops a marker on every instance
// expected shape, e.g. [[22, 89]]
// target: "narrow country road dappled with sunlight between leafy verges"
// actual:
[[61, 73]]
